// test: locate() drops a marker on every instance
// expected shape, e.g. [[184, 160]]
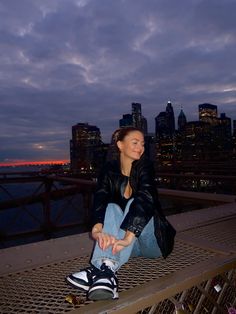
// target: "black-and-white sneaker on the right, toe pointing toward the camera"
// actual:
[[105, 285]]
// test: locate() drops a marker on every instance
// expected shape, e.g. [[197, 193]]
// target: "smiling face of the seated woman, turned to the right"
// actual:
[[132, 146]]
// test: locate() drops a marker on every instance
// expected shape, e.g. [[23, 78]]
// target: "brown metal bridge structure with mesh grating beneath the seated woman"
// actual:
[[198, 277]]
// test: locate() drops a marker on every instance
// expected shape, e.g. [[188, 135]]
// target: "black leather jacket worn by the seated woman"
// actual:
[[110, 187]]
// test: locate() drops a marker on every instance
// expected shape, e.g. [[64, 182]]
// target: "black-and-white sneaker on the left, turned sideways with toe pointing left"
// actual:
[[83, 279]]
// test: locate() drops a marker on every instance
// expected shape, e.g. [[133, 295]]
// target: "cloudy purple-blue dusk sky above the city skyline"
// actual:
[[64, 62]]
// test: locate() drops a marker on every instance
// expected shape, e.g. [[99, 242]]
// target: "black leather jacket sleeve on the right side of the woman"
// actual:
[[145, 199]]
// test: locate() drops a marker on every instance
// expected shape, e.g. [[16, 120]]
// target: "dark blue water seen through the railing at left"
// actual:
[[27, 217]]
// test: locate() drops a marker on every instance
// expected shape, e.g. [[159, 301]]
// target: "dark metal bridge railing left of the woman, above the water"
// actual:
[[43, 208]]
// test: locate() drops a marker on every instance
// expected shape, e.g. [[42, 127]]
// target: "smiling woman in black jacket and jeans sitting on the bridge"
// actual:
[[123, 225]]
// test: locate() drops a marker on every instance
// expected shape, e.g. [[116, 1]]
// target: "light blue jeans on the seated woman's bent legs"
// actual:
[[145, 245]]
